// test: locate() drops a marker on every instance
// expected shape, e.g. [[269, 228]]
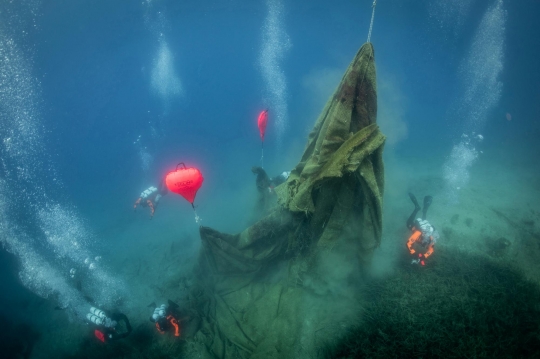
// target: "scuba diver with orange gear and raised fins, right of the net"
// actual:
[[422, 241]]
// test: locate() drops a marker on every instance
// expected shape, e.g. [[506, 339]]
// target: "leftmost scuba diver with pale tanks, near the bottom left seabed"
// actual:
[[109, 326]]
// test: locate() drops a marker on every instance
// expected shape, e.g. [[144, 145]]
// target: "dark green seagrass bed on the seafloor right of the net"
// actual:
[[459, 306]]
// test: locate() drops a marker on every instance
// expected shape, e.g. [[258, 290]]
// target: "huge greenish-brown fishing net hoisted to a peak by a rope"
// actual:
[[285, 287]]
